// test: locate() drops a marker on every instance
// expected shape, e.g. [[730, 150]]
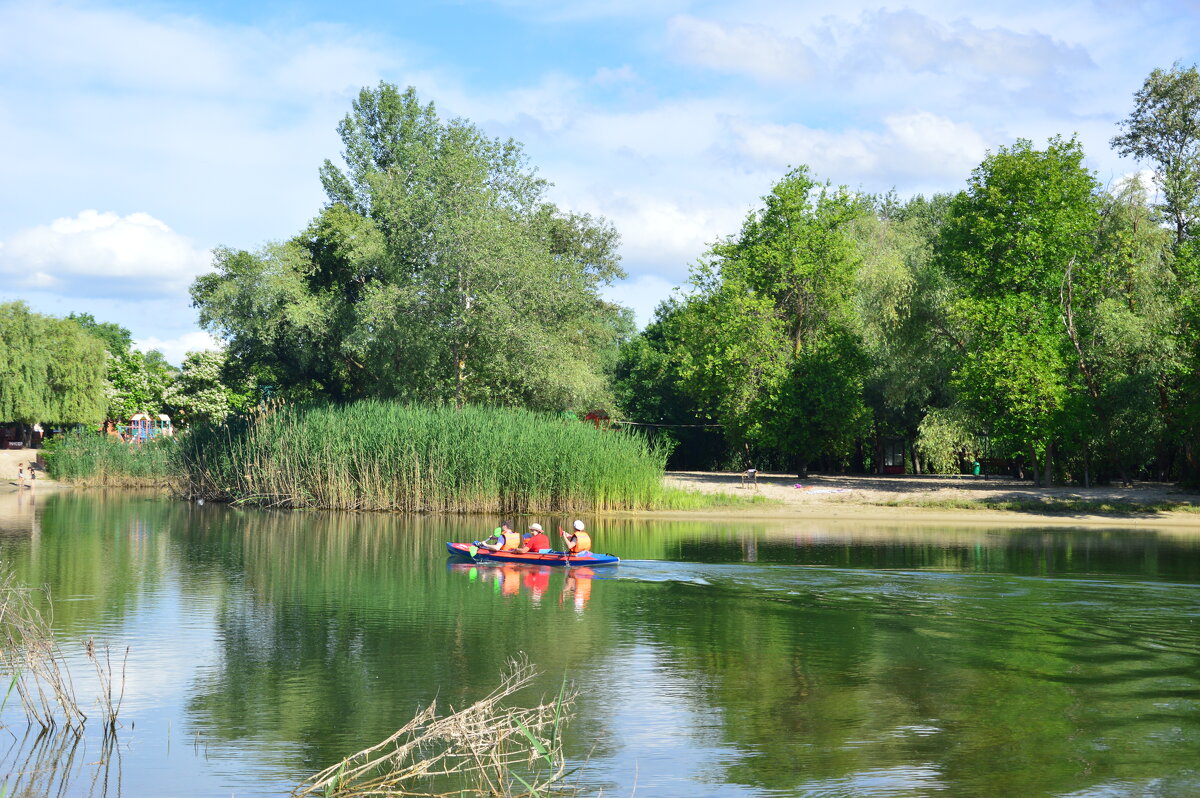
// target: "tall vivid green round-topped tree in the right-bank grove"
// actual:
[[1016, 243]]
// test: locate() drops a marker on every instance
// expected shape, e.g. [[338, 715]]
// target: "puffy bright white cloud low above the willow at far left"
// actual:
[[103, 255]]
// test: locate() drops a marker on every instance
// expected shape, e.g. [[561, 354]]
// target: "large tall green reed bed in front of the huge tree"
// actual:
[[386, 457]]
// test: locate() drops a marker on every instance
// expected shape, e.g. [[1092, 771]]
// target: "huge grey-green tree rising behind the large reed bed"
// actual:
[[437, 272]]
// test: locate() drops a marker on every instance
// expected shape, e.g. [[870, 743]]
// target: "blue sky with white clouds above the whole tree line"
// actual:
[[139, 136]]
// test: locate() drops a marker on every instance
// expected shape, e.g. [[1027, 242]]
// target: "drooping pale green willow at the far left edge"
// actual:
[[51, 370]]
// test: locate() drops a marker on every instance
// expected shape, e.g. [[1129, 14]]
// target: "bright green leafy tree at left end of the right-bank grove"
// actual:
[[770, 346]]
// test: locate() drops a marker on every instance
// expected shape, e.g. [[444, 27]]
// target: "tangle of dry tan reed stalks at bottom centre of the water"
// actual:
[[485, 749]]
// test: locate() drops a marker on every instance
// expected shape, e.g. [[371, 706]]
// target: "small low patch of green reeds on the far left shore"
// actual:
[[93, 460]]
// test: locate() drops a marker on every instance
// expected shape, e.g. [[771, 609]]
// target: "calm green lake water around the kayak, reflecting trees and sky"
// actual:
[[721, 659]]
